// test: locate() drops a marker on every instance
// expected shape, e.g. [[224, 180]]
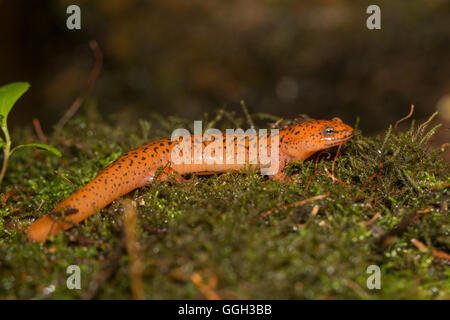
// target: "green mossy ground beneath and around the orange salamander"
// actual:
[[212, 226]]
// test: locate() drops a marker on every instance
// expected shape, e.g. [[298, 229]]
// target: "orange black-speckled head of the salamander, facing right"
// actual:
[[303, 140]]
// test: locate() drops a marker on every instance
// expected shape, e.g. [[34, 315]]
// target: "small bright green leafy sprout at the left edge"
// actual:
[[9, 94]]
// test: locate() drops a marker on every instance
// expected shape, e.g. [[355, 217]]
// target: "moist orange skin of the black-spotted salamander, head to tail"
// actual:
[[140, 166]]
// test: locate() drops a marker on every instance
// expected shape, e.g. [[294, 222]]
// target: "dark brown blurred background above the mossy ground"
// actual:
[[179, 57]]
